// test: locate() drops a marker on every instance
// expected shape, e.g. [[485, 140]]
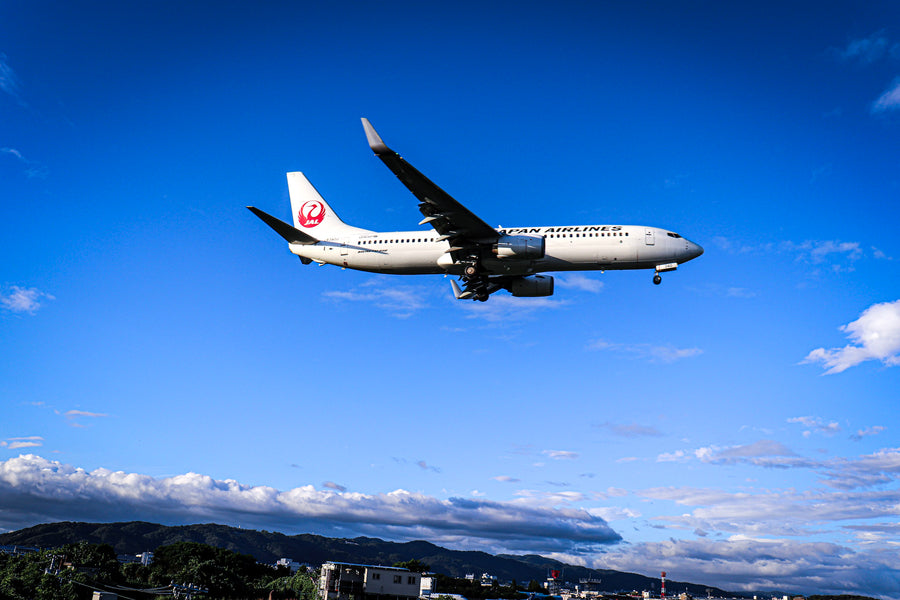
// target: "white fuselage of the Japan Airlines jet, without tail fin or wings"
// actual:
[[575, 248]]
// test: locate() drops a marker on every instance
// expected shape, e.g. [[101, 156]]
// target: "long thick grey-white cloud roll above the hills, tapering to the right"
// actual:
[[34, 489]]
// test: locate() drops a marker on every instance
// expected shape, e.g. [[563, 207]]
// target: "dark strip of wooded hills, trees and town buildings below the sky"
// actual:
[[91, 561]]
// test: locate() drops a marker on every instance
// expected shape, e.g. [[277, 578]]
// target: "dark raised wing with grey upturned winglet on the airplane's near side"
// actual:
[[457, 224]]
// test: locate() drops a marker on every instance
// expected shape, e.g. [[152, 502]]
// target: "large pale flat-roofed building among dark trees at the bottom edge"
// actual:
[[340, 581]]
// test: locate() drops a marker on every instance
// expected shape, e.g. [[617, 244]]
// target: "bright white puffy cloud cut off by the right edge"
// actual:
[[875, 336]]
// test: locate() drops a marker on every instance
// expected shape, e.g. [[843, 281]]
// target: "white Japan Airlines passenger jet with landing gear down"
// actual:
[[484, 258]]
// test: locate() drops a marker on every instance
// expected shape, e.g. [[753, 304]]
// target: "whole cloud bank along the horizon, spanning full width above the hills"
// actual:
[[733, 529]]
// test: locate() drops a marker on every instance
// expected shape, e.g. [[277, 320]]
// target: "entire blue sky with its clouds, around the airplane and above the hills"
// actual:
[[164, 357]]
